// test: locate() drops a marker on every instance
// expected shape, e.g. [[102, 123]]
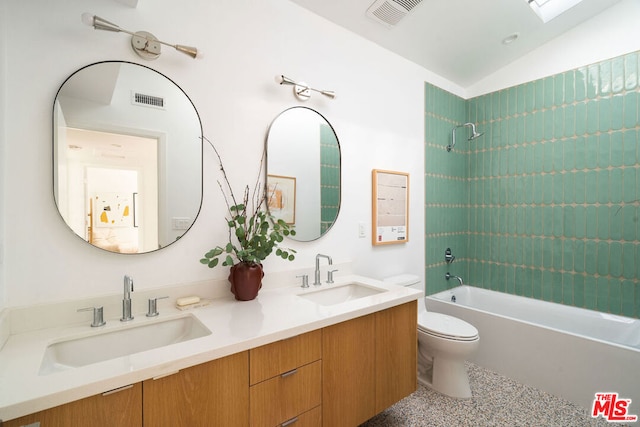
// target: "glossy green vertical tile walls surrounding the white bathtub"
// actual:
[[546, 203]]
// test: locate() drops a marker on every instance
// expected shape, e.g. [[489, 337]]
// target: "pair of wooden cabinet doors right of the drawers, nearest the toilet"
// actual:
[[369, 364]]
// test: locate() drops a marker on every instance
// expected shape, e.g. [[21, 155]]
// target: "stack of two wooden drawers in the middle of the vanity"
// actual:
[[286, 382]]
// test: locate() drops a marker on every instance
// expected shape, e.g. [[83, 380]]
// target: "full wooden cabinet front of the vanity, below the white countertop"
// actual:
[[341, 375]]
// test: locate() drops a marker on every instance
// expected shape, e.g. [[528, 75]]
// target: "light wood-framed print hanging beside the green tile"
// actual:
[[390, 207]]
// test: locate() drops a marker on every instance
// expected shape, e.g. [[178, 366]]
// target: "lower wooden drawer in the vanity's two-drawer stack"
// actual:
[[286, 396]]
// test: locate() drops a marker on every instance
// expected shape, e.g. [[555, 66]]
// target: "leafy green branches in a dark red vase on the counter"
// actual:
[[254, 234]]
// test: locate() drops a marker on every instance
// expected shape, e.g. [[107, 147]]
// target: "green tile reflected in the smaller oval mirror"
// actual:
[[329, 177]]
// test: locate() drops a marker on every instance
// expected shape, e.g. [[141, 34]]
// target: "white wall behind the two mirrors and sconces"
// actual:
[[378, 116]]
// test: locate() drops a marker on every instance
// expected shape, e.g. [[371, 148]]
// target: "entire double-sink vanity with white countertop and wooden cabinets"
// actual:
[[330, 355]]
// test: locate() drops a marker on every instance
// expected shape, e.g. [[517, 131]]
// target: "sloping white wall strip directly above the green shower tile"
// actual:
[[612, 33]]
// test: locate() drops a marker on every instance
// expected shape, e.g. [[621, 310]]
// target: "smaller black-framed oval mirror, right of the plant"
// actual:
[[303, 172]]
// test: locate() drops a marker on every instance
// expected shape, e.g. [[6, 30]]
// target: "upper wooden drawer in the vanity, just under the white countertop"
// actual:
[[276, 358]]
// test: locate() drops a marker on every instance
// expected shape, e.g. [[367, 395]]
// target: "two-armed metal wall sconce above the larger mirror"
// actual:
[[145, 44]]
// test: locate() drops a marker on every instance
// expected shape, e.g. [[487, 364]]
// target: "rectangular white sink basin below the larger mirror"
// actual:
[[77, 352]]
